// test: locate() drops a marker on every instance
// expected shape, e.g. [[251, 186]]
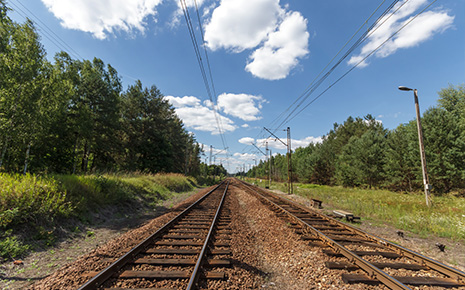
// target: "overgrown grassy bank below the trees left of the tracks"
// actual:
[[31, 207]]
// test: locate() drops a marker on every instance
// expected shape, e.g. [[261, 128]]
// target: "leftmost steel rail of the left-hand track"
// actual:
[[106, 273]]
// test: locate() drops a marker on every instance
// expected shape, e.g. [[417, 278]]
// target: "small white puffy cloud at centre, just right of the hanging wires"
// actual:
[[243, 106]]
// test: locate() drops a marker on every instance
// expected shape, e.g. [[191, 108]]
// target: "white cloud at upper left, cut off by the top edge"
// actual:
[[102, 17]]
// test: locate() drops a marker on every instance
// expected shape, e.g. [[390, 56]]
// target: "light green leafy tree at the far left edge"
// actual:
[[22, 101]]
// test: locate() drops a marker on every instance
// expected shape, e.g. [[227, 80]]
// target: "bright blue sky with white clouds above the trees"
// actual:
[[263, 55]]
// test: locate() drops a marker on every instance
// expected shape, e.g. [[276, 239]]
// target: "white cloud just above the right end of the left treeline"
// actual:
[[199, 117]]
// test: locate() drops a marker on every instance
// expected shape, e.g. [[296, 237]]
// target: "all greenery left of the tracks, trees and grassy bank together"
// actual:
[[66, 123]]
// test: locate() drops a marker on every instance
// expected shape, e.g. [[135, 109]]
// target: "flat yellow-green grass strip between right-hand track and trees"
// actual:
[[446, 218]]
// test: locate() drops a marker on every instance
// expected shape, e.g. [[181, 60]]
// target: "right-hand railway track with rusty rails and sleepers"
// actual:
[[369, 259]]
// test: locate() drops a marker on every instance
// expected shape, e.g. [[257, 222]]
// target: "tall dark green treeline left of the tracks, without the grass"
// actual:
[[73, 116]]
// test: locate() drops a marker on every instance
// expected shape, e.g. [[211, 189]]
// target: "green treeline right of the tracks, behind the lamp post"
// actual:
[[361, 152]]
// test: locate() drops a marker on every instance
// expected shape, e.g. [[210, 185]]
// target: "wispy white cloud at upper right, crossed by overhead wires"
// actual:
[[424, 27]]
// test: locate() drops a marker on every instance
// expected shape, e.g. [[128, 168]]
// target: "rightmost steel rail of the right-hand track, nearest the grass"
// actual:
[[453, 273]]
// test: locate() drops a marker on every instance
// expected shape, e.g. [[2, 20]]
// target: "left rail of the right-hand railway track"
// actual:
[[372, 271]]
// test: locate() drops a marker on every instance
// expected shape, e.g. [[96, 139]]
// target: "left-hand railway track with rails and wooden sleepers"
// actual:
[[193, 246]]
